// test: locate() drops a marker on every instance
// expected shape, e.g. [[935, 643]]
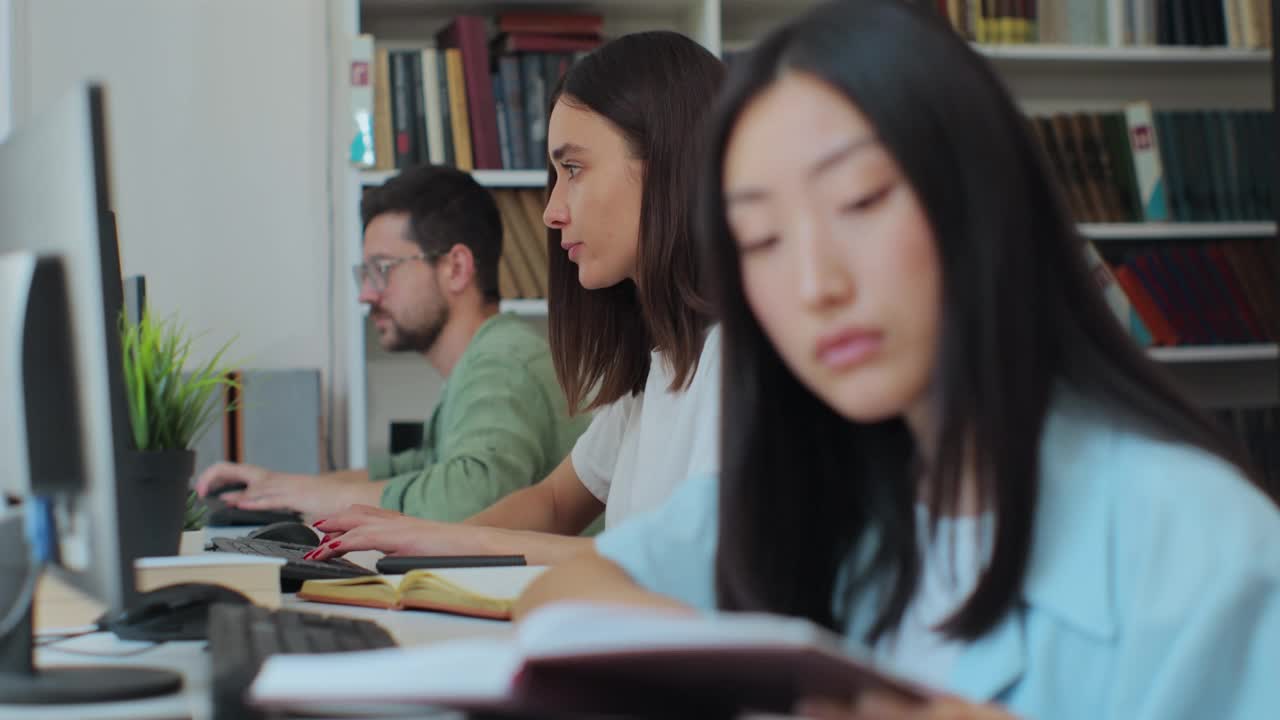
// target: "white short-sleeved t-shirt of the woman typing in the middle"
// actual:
[[638, 450]]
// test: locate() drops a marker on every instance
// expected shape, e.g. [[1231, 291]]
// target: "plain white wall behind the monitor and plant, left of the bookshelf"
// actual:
[[221, 133]]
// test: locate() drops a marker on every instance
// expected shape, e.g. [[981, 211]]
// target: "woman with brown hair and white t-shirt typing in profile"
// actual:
[[630, 330]]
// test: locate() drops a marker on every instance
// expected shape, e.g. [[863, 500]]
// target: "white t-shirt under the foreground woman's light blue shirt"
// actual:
[[952, 563]]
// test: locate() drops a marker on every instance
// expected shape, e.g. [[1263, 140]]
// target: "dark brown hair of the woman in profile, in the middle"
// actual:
[[656, 89]]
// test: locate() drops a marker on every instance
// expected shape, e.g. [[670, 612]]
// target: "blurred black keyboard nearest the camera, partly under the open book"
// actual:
[[243, 636]]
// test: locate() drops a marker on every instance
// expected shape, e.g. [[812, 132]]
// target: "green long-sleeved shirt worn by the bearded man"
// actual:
[[501, 426]]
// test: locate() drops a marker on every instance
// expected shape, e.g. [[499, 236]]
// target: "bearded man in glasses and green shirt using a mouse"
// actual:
[[433, 238]]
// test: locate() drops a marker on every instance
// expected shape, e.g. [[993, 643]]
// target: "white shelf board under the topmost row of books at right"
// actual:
[[1135, 54]]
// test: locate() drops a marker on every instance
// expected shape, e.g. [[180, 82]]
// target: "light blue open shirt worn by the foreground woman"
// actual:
[[1153, 591]]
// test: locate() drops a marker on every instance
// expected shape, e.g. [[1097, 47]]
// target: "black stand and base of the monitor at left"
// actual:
[[22, 683]]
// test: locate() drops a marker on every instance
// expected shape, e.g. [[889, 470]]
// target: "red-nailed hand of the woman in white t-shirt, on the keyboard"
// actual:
[[363, 527]]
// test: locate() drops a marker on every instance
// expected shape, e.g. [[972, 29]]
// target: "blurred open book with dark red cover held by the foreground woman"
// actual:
[[592, 659]]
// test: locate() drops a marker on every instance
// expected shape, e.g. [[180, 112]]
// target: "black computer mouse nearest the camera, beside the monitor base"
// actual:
[[173, 613]]
